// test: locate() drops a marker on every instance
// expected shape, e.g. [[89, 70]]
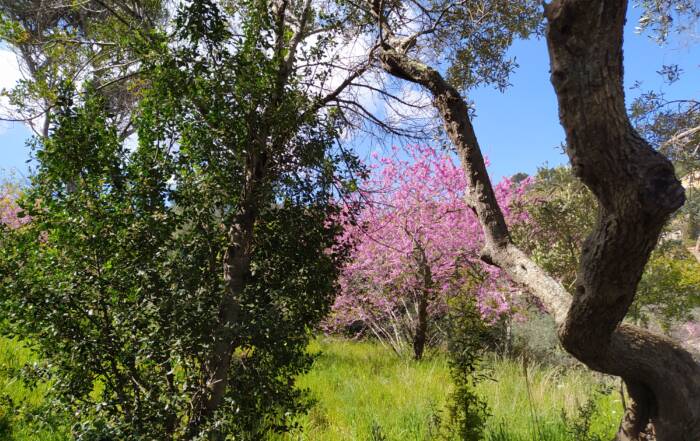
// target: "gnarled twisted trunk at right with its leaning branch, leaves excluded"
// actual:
[[637, 191]]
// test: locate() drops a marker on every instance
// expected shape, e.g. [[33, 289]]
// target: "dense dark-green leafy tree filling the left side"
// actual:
[[118, 277]]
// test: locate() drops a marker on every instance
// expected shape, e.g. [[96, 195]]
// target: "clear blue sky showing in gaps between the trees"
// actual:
[[518, 129]]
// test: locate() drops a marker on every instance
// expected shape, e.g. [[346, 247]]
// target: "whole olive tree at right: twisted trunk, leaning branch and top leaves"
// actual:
[[634, 185]]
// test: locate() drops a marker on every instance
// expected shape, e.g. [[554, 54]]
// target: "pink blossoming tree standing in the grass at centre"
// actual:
[[417, 243]]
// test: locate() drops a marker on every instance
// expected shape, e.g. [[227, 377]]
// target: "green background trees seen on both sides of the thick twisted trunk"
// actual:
[[560, 214]]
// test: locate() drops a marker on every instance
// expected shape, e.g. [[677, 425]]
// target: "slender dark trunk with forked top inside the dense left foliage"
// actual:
[[266, 139]]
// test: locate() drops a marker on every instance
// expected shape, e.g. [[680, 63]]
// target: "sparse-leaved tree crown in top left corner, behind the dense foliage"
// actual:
[[60, 40]]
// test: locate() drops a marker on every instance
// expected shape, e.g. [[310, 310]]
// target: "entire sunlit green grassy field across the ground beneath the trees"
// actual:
[[364, 392]]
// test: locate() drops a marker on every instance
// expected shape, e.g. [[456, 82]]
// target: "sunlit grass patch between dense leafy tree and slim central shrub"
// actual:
[[359, 385]]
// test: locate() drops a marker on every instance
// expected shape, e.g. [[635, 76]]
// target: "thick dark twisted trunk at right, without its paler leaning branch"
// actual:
[[637, 191]]
